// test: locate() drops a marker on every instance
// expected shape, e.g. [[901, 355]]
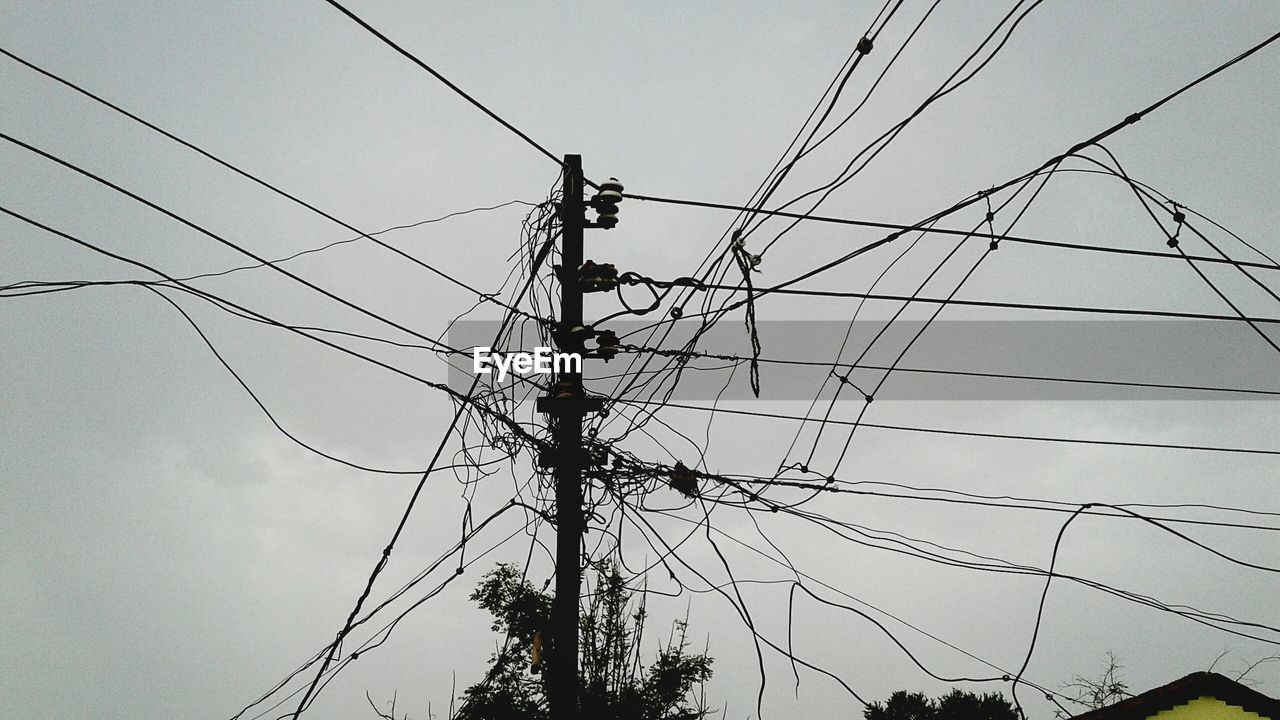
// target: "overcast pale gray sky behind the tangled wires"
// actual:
[[167, 553]]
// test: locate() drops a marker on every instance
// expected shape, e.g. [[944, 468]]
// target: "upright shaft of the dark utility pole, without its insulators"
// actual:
[[563, 687]]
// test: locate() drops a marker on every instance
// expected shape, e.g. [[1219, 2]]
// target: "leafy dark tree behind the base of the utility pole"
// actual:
[[616, 683]]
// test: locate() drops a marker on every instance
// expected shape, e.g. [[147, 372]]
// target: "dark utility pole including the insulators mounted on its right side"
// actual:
[[568, 405]]
